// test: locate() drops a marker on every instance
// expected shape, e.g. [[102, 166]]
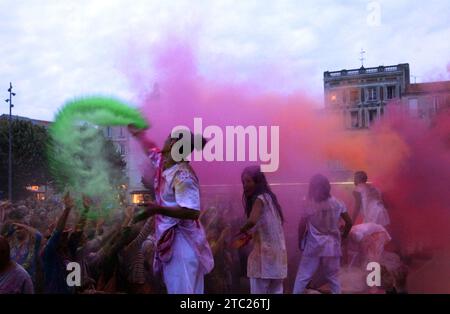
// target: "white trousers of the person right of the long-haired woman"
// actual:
[[309, 265]]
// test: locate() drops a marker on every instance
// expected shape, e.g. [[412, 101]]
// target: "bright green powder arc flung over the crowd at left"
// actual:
[[78, 154]]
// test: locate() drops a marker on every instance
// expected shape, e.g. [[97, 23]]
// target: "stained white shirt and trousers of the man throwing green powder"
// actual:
[[191, 256]]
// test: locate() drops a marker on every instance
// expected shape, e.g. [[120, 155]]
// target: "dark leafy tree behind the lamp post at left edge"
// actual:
[[29, 166]]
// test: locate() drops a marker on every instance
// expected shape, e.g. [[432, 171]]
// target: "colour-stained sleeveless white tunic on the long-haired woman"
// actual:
[[268, 259]]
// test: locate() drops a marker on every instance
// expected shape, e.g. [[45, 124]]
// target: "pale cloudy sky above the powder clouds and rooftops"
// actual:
[[53, 50]]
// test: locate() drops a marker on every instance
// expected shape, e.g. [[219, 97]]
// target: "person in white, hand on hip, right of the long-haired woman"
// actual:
[[320, 235]]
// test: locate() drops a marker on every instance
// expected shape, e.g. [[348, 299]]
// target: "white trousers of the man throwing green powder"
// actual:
[[183, 274]]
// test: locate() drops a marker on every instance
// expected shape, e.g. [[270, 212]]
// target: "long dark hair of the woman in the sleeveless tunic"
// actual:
[[261, 187]]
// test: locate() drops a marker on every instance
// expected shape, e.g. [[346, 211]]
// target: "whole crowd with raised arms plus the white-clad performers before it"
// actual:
[[170, 246]]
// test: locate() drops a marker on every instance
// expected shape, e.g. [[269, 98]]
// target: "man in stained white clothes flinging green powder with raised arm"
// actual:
[[182, 253]]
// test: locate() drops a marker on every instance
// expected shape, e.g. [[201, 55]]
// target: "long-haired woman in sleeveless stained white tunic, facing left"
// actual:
[[267, 262]]
